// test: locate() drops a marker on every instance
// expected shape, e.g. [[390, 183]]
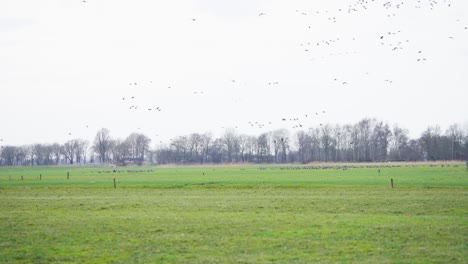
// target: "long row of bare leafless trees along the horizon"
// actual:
[[369, 140]]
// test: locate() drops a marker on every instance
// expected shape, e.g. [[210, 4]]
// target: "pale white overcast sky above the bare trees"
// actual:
[[65, 65]]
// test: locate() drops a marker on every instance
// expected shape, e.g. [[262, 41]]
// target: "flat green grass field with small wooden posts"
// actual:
[[246, 214]]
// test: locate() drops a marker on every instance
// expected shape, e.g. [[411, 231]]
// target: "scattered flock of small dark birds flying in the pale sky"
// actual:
[[390, 39]]
